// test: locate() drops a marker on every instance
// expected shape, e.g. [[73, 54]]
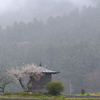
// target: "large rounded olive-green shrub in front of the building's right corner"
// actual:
[[54, 87]]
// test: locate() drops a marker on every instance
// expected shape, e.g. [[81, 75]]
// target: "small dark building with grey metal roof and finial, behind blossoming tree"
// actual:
[[39, 86]]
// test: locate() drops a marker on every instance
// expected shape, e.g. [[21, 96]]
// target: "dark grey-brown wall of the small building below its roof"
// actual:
[[39, 86]]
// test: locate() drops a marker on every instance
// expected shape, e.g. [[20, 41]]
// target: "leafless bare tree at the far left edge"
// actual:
[[4, 80]]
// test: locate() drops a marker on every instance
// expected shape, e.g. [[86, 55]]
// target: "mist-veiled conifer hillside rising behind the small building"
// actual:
[[68, 43]]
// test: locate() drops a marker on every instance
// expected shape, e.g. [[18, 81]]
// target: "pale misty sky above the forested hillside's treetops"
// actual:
[[28, 9]]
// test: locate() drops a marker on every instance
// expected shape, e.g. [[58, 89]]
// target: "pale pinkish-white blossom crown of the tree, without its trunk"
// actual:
[[31, 70]]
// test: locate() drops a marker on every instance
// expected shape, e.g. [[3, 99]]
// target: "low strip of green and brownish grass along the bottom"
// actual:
[[34, 95]]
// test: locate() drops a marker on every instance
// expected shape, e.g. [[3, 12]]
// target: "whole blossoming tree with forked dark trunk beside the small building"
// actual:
[[20, 73]]
